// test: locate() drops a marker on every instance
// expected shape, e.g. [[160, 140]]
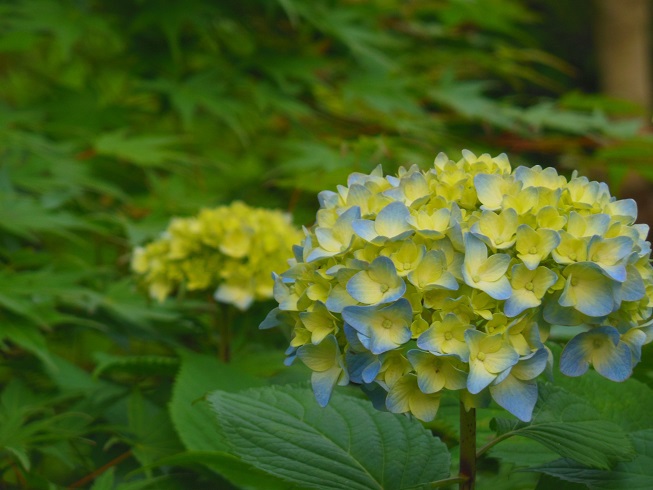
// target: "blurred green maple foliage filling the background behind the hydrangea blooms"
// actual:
[[117, 115]]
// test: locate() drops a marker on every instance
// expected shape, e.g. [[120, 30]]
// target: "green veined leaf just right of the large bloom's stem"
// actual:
[[567, 425]]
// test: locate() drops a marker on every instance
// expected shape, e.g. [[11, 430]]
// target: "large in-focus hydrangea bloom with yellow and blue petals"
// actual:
[[451, 278]]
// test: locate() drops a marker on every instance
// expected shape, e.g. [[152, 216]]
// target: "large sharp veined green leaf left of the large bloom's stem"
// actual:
[[347, 445]]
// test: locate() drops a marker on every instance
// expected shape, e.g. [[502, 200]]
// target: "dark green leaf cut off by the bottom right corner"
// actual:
[[633, 475]]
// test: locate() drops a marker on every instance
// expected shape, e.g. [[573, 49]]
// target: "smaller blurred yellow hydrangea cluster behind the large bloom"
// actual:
[[232, 248]]
